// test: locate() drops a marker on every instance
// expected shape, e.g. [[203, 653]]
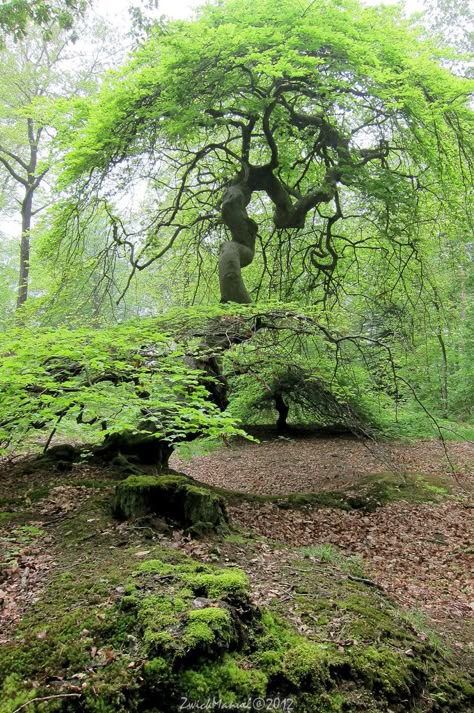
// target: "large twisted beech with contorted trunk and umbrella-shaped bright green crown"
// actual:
[[275, 118]]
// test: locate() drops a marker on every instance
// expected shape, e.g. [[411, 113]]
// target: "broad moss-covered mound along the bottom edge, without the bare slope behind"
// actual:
[[177, 628]]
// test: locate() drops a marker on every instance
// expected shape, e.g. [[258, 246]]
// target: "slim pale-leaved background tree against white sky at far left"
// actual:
[[35, 72]]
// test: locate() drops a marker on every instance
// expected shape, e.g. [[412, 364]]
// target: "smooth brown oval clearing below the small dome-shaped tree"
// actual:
[[285, 465]]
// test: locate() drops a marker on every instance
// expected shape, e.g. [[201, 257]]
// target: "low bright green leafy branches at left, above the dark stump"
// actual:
[[104, 381]]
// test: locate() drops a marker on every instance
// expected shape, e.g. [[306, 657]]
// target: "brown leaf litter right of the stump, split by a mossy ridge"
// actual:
[[421, 553]]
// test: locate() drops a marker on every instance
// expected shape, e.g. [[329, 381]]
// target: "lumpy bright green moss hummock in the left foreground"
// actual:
[[159, 618]]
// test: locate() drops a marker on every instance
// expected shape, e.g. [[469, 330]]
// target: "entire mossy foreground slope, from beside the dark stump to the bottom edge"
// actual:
[[127, 622]]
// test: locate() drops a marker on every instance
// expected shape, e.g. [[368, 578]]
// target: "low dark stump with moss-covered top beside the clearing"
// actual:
[[175, 497]]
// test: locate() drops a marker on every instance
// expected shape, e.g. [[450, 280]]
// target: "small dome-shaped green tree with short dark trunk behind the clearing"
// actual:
[[321, 385]]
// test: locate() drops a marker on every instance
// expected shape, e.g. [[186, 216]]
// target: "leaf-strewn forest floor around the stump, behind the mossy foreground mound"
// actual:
[[411, 537]]
